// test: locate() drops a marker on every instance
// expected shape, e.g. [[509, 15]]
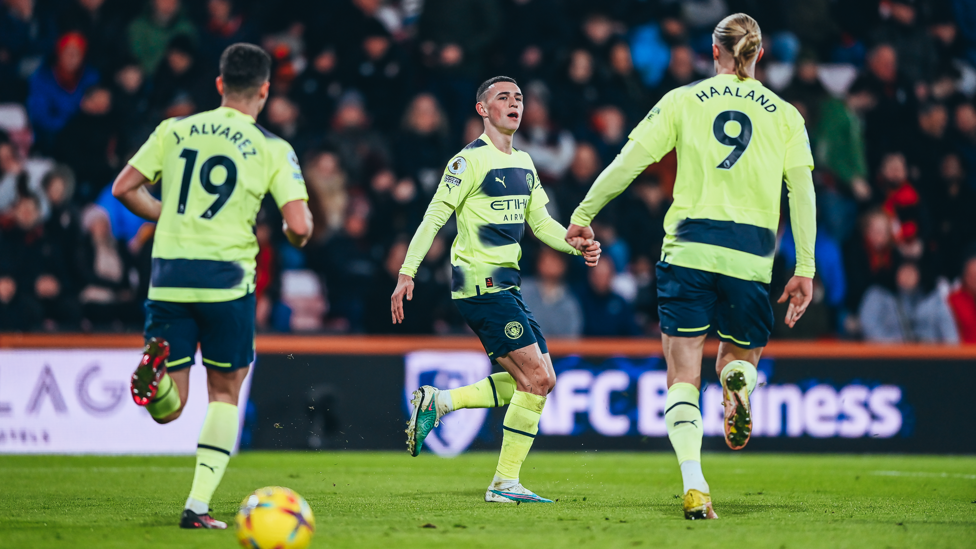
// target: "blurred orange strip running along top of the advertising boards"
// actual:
[[398, 345]]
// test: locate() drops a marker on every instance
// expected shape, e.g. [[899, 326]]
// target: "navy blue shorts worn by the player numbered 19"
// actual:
[[224, 330]]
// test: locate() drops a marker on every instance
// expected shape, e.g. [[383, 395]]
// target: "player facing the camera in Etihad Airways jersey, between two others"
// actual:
[[494, 189]]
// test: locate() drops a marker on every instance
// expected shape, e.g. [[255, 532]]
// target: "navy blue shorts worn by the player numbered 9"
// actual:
[[690, 301]]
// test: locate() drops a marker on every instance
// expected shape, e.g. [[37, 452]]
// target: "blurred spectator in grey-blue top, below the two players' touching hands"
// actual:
[[548, 296]]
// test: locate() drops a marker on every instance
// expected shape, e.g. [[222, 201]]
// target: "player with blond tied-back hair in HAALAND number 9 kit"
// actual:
[[736, 141]]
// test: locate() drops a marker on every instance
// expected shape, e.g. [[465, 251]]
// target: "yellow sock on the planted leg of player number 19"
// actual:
[[217, 439]]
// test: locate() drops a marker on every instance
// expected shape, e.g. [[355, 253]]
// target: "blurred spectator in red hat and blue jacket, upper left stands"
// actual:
[[56, 91]]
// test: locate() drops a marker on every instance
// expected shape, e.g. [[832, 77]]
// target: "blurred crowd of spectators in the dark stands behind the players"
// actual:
[[377, 95]]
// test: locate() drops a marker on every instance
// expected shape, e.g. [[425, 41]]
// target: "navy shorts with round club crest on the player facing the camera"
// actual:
[[502, 321]]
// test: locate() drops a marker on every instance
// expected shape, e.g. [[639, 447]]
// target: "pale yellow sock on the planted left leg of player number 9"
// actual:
[[683, 418]]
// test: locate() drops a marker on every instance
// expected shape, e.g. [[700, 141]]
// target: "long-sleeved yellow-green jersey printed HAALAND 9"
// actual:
[[735, 141]]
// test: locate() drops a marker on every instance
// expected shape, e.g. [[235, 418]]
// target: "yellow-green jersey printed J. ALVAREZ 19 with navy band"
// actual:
[[215, 169]]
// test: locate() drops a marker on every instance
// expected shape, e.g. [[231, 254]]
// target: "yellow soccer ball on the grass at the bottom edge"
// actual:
[[274, 518]]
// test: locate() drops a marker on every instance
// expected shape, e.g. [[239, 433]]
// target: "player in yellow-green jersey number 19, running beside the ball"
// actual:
[[215, 168]]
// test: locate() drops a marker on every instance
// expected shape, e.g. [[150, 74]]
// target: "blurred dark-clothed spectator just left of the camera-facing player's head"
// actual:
[[423, 147]]
